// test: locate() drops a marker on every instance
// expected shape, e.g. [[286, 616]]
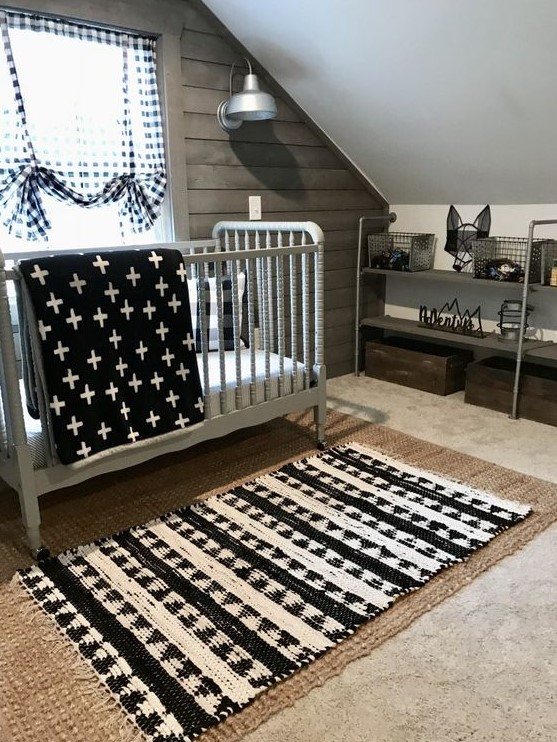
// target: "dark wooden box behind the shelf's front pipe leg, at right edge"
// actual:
[[490, 382]]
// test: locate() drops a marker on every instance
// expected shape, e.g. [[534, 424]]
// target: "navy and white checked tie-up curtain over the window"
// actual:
[[80, 121]]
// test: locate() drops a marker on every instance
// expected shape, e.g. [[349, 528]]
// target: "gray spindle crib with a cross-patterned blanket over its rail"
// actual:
[[276, 369]]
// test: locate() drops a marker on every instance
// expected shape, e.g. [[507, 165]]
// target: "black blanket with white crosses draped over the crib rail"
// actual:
[[118, 353]]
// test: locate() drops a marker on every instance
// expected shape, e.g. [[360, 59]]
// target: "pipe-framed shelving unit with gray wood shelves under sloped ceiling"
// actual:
[[538, 350]]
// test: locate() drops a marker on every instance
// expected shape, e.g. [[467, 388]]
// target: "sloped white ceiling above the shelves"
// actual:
[[435, 101]]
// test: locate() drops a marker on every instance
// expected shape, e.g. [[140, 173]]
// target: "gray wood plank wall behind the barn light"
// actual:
[[289, 163]]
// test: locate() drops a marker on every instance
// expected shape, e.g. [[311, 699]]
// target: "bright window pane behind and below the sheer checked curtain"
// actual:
[[93, 117]]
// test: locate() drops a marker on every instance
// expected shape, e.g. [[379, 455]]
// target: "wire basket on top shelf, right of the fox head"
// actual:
[[504, 259]]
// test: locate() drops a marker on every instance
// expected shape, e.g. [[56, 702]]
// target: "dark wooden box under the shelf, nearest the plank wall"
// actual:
[[432, 368]]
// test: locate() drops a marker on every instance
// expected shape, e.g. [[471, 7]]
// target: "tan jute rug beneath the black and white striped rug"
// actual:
[[46, 692]]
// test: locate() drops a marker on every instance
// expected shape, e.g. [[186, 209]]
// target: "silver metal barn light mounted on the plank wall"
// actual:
[[252, 104]]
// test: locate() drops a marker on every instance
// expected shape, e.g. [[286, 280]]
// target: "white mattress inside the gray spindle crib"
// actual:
[[212, 397]]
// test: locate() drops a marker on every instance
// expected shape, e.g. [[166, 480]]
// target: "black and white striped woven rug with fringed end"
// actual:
[[187, 618]]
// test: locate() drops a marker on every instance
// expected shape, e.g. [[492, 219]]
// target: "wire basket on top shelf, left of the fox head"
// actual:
[[401, 251]]
